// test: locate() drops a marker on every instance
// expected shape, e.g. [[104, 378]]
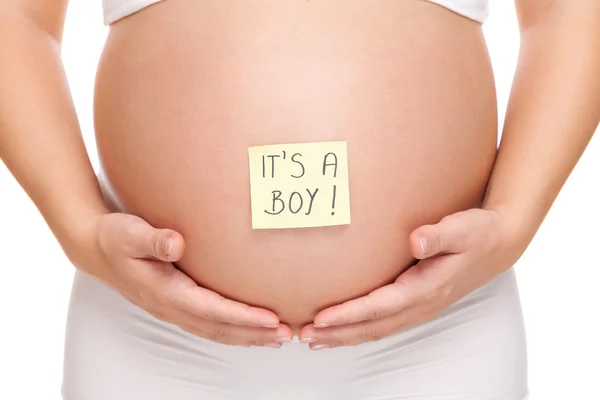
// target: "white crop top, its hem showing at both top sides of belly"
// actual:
[[474, 9]]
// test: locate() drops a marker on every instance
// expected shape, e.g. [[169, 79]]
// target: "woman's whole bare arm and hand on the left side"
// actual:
[[122, 250]]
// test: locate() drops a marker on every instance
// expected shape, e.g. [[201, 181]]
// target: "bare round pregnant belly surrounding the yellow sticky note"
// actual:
[[184, 88]]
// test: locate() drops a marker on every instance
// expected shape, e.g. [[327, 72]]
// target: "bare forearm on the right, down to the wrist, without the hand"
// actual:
[[552, 114]]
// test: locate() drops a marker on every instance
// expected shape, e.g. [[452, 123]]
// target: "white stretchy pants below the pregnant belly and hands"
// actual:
[[473, 351]]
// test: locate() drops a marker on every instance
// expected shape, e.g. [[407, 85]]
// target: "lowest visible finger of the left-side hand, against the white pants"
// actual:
[[234, 334]]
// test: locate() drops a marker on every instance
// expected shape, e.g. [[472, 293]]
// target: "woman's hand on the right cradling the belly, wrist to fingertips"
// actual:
[[459, 254]]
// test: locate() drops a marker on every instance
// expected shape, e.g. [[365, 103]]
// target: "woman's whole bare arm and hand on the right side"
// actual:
[[554, 110]]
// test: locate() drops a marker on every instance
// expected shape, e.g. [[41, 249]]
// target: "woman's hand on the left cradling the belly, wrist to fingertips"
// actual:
[[134, 258]]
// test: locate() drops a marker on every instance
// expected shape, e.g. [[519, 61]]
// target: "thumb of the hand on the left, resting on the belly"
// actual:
[[149, 242]]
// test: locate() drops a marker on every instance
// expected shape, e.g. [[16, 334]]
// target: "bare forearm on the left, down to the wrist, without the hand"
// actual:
[[40, 139]]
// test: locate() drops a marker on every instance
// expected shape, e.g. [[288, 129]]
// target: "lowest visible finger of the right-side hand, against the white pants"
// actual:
[[367, 331]]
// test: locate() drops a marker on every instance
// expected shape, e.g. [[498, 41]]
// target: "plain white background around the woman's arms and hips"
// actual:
[[558, 275]]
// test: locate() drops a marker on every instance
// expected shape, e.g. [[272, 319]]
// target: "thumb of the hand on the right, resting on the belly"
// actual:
[[447, 236]]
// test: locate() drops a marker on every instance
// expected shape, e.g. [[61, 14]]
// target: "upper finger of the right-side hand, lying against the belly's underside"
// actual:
[[385, 301]]
